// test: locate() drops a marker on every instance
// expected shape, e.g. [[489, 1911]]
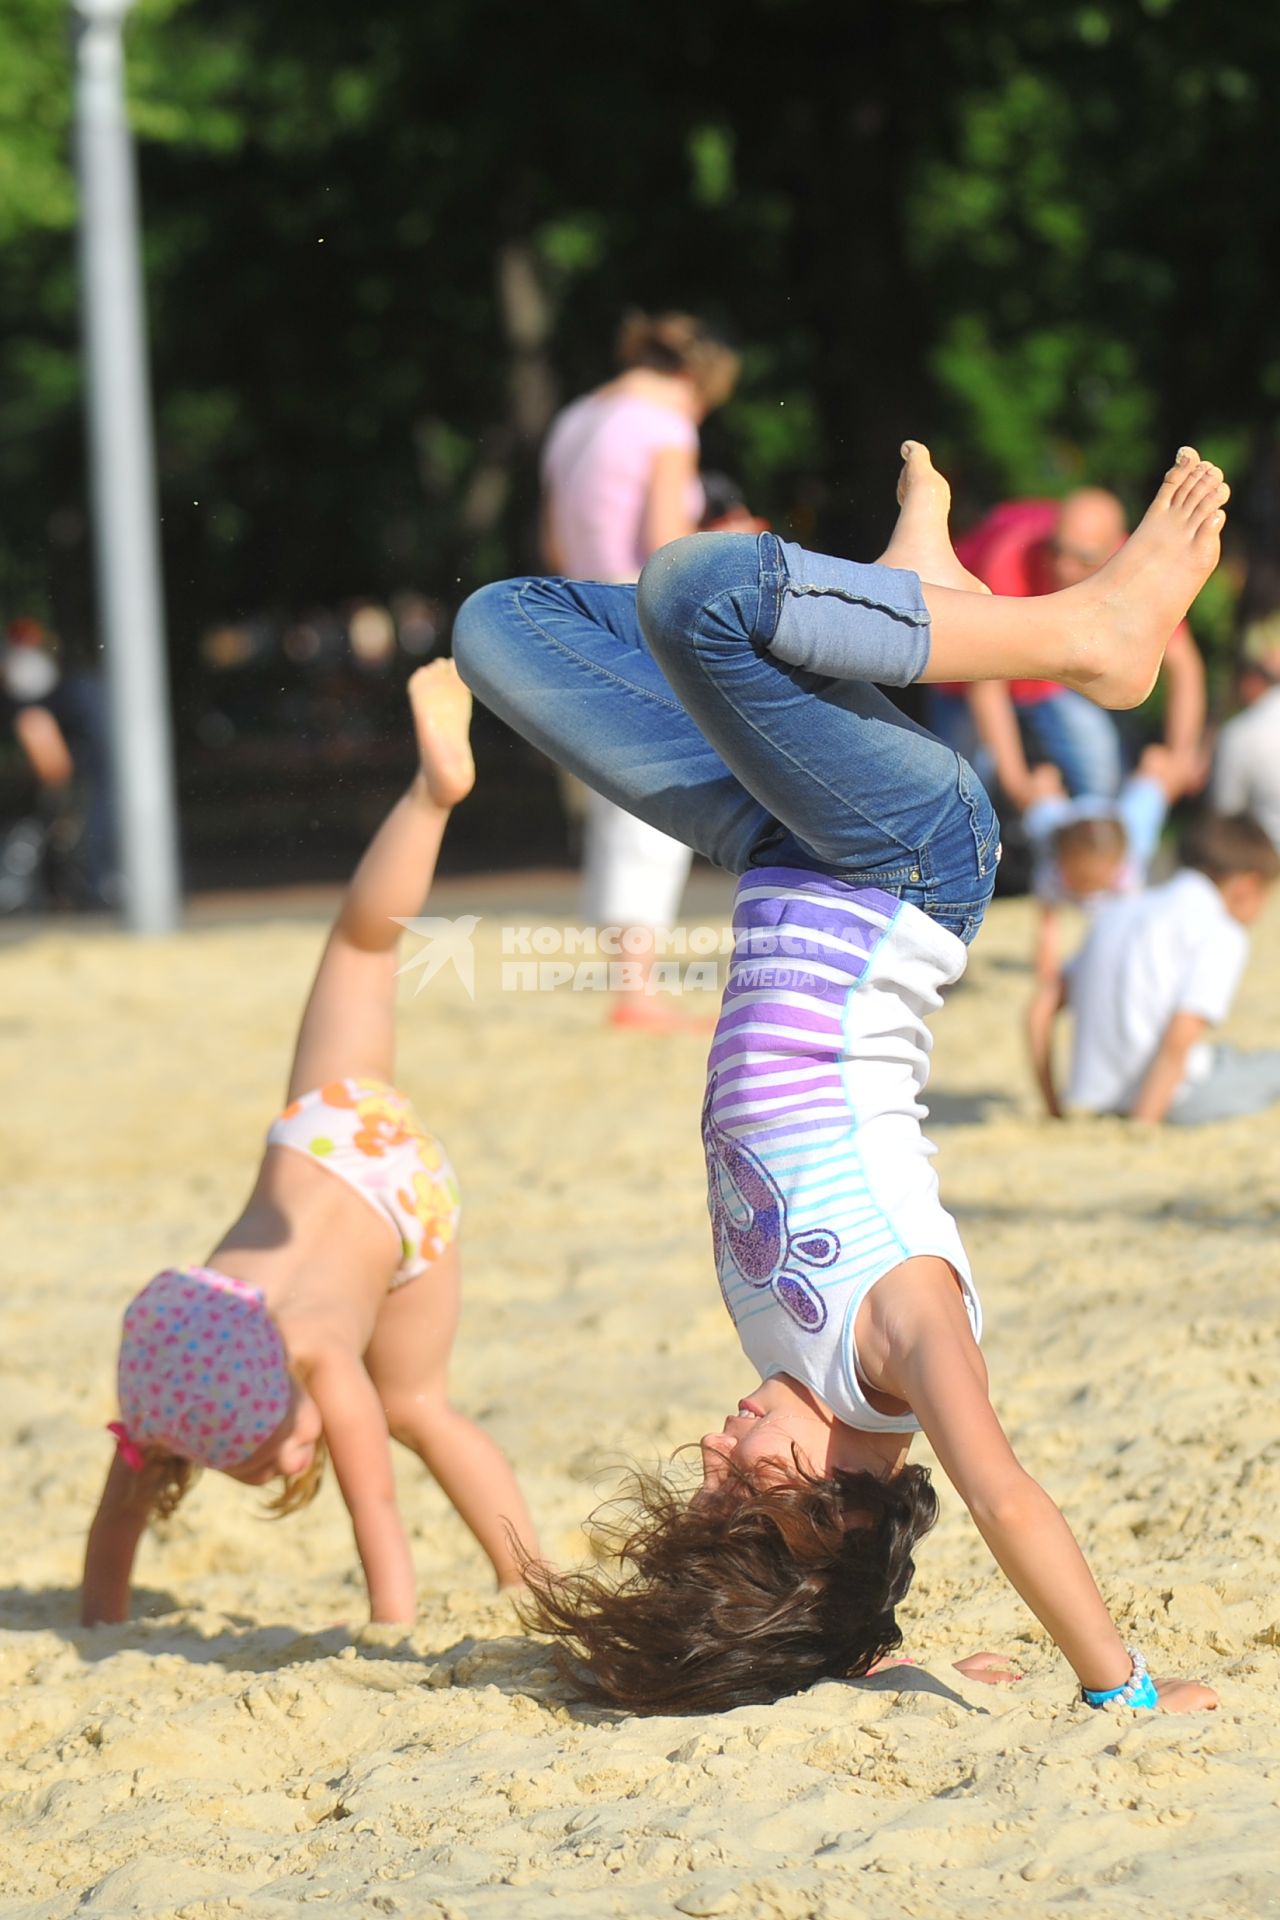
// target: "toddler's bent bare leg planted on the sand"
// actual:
[[408, 1362]]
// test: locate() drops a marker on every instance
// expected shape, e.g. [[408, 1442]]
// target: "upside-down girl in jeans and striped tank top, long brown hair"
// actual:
[[730, 700]]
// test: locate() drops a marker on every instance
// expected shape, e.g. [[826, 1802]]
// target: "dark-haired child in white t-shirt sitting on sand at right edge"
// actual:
[[1154, 976]]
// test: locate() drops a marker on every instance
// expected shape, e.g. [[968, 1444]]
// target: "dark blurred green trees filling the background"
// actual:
[[385, 243]]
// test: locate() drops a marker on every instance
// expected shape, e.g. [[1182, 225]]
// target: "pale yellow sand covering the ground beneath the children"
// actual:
[[237, 1752]]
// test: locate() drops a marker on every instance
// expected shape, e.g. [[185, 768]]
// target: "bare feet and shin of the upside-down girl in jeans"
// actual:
[[1108, 635]]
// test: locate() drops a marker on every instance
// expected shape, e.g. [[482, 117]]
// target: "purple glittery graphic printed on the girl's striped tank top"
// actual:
[[749, 1228]]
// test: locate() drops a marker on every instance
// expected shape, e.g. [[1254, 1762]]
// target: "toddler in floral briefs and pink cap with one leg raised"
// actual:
[[323, 1320]]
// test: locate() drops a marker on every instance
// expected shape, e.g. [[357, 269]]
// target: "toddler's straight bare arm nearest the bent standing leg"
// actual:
[[362, 1451]]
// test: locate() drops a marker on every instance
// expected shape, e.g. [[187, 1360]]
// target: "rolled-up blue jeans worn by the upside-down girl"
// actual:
[[665, 698]]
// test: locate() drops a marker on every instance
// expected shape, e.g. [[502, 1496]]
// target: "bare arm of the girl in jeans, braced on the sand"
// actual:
[[939, 1372]]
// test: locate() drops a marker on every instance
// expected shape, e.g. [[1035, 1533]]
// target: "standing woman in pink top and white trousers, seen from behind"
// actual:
[[621, 479]]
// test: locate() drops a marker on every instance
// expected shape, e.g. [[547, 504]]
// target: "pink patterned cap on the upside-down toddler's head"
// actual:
[[202, 1370]]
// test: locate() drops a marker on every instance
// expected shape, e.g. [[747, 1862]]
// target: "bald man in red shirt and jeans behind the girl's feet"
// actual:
[[1039, 546]]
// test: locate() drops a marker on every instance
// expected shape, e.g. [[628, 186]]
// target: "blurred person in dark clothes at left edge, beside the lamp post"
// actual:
[[60, 723]]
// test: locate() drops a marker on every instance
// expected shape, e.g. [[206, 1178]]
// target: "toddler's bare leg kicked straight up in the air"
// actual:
[[348, 1026]]
